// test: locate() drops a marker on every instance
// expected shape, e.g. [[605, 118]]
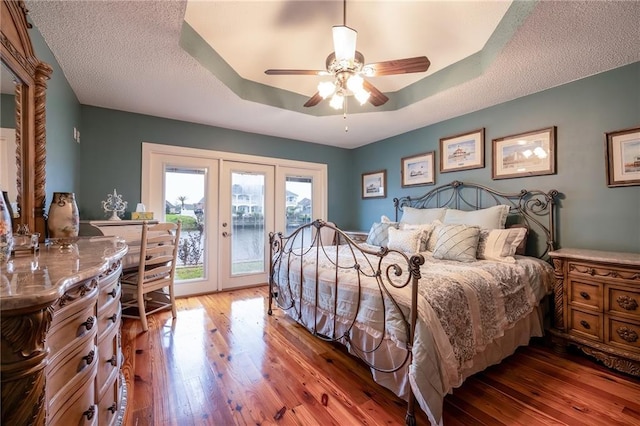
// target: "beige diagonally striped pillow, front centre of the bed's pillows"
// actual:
[[457, 242]]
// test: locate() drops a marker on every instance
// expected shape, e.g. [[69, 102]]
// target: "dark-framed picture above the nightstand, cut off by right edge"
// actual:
[[623, 157]]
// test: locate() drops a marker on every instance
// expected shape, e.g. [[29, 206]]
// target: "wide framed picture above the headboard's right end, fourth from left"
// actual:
[[527, 154]]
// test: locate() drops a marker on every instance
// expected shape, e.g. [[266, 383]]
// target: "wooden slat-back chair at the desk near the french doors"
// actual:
[[144, 287]]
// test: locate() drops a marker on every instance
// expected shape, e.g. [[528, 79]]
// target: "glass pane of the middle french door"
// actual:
[[247, 223]]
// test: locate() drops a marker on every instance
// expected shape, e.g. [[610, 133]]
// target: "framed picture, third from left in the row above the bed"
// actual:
[[462, 152]]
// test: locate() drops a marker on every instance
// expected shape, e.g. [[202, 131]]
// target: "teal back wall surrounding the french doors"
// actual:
[[112, 155]]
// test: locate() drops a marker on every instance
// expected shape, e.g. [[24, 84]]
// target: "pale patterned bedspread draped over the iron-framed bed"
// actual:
[[464, 311]]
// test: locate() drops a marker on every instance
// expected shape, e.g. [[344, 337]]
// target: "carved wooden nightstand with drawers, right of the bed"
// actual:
[[597, 305]]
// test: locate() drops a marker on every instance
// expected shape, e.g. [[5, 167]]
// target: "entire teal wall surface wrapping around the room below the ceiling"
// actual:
[[591, 215]]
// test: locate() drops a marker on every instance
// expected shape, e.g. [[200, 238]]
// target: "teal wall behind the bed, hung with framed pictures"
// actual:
[[591, 215]]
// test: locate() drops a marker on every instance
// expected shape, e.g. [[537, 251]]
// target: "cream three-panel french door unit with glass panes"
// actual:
[[228, 204]]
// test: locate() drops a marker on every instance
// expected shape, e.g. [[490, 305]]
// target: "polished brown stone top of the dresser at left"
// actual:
[[29, 280]]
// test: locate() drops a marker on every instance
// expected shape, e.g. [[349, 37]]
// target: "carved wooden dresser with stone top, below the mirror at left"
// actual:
[[61, 356]]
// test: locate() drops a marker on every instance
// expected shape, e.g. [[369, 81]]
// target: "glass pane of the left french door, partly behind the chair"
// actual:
[[185, 200]]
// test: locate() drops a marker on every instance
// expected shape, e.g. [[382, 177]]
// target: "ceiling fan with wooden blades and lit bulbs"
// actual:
[[347, 66]]
